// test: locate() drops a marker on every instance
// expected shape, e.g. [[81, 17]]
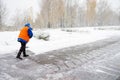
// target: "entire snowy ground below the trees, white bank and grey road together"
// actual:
[[70, 54]]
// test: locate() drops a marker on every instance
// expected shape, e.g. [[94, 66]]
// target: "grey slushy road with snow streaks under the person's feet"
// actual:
[[99, 60]]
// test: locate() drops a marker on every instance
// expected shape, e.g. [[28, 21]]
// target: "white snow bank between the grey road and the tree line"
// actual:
[[59, 38]]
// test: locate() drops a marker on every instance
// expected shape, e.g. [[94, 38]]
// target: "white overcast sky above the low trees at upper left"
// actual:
[[19, 6]]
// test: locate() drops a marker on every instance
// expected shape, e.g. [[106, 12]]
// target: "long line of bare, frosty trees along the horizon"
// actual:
[[66, 13]]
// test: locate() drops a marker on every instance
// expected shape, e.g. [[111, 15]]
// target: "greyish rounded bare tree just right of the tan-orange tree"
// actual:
[[104, 13]]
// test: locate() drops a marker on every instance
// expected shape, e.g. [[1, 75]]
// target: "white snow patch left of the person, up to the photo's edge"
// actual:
[[8, 42]]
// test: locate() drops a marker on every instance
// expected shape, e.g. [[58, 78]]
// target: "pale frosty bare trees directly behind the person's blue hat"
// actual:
[[21, 18]]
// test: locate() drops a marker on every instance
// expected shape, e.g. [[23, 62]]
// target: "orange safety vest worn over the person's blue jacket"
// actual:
[[24, 34]]
